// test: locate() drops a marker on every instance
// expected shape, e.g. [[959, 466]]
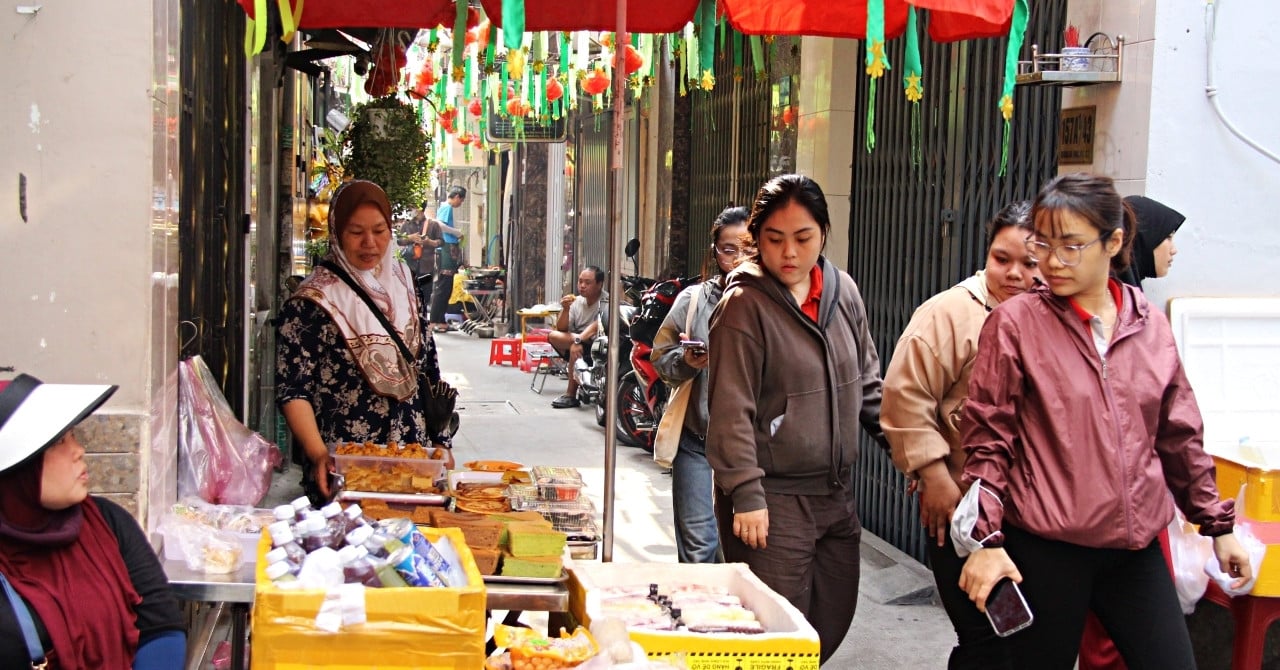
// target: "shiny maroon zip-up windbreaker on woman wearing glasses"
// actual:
[[1080, 449]]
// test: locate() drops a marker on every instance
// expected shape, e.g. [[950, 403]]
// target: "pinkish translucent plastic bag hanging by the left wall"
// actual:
[[221, 461]]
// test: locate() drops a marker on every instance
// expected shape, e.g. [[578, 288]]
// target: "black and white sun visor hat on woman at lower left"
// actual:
[[35, 414]]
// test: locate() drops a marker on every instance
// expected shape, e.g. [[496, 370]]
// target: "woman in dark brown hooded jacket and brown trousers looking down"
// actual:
[[793, 373]]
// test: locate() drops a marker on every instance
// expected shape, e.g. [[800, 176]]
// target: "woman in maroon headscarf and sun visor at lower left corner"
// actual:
[[79, 568]]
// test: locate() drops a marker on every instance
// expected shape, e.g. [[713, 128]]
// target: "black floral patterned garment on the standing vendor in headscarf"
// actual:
[[314, 363]]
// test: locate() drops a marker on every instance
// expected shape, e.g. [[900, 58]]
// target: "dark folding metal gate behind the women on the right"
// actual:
[[918, 230]]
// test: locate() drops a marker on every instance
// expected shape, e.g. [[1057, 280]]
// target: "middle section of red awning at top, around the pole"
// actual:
[[643, 16]]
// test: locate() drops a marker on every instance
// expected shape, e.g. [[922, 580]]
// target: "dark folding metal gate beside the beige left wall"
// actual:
[[213, 225]]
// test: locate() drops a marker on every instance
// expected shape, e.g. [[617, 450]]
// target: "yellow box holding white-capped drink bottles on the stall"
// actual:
[[408, 628]]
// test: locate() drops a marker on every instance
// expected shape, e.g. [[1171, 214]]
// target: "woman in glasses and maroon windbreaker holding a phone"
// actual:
[[1081, 429]]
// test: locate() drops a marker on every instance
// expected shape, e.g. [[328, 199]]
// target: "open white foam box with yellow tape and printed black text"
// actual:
[[789, 641]]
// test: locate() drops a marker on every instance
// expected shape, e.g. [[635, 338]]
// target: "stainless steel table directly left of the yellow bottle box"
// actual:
[[213, 598]]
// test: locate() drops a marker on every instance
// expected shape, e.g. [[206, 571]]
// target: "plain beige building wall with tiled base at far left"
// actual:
[[77, 274]]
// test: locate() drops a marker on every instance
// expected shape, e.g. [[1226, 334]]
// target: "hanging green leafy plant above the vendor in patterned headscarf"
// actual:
[[386, 144]]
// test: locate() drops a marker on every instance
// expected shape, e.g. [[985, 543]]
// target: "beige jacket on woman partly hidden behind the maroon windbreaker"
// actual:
[[929, 380]]
